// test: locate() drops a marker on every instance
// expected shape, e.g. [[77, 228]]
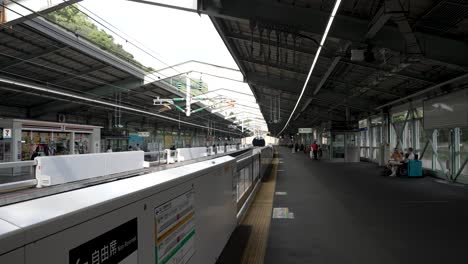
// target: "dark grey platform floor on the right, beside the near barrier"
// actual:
[[348, 213]]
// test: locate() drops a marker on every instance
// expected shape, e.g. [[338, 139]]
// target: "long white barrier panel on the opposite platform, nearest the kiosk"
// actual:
[[53, 170]]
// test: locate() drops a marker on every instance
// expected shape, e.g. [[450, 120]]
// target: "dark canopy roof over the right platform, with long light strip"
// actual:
[[409, 46]]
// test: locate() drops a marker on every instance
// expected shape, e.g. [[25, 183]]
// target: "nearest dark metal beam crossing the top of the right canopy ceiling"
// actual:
[[345, 27]]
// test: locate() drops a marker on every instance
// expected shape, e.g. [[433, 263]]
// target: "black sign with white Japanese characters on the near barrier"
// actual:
[[119, 245]]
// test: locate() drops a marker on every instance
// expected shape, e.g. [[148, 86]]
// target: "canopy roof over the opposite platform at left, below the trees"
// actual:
[[37, 52]]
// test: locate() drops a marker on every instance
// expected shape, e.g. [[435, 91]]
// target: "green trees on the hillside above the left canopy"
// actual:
[[72, 19]]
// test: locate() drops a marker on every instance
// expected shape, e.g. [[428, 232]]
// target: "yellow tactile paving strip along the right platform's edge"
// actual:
[[259, 218]]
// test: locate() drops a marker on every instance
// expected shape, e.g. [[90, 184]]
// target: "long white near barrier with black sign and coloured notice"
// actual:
[[181, 215]]
